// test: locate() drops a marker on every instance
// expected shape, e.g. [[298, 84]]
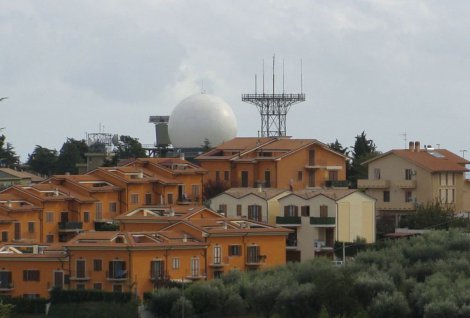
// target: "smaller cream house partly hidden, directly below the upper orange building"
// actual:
[[259, 204]]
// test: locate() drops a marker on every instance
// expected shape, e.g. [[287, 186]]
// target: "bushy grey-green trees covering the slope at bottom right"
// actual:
[[426, 276]]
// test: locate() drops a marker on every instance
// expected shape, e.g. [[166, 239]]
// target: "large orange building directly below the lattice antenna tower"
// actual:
[[277, 162]]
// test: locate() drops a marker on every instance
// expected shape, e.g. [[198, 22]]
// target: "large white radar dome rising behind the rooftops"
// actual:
[[199, 117]]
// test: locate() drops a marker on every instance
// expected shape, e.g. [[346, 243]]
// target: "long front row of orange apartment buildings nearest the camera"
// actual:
[[199, 245]]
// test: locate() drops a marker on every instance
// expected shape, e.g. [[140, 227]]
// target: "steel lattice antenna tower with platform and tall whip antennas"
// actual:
[[273, 107]]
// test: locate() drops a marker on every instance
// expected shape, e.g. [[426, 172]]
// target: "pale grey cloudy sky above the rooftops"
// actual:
[[384, 67]]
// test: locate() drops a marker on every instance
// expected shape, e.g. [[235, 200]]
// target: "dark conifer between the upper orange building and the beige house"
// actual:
[[363, 150]]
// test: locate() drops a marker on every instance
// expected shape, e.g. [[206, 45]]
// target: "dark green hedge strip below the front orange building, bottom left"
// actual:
[[70, 296]]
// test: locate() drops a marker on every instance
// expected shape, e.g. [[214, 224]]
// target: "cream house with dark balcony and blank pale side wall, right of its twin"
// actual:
[[321, 217]]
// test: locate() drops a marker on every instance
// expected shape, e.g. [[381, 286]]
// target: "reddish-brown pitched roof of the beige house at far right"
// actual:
[[435, 160]]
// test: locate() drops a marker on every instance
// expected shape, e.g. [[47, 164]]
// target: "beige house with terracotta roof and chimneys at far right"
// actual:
[[400, 179]]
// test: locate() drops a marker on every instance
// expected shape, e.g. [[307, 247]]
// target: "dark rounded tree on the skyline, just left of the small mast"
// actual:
[[72, 152]]
